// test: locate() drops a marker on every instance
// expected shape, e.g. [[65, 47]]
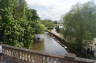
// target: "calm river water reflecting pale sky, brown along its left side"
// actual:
[[49, 45]]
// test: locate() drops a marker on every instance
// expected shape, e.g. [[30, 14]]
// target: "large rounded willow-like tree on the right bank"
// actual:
[[79, 25]]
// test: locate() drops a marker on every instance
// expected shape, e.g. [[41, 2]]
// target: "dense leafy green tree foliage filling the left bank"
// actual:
[[17, 23]]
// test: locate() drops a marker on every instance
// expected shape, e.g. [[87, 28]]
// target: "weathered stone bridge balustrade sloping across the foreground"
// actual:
[[21, 55]]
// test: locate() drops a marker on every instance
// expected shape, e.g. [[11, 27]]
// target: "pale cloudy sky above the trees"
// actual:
[[53, 9]]
